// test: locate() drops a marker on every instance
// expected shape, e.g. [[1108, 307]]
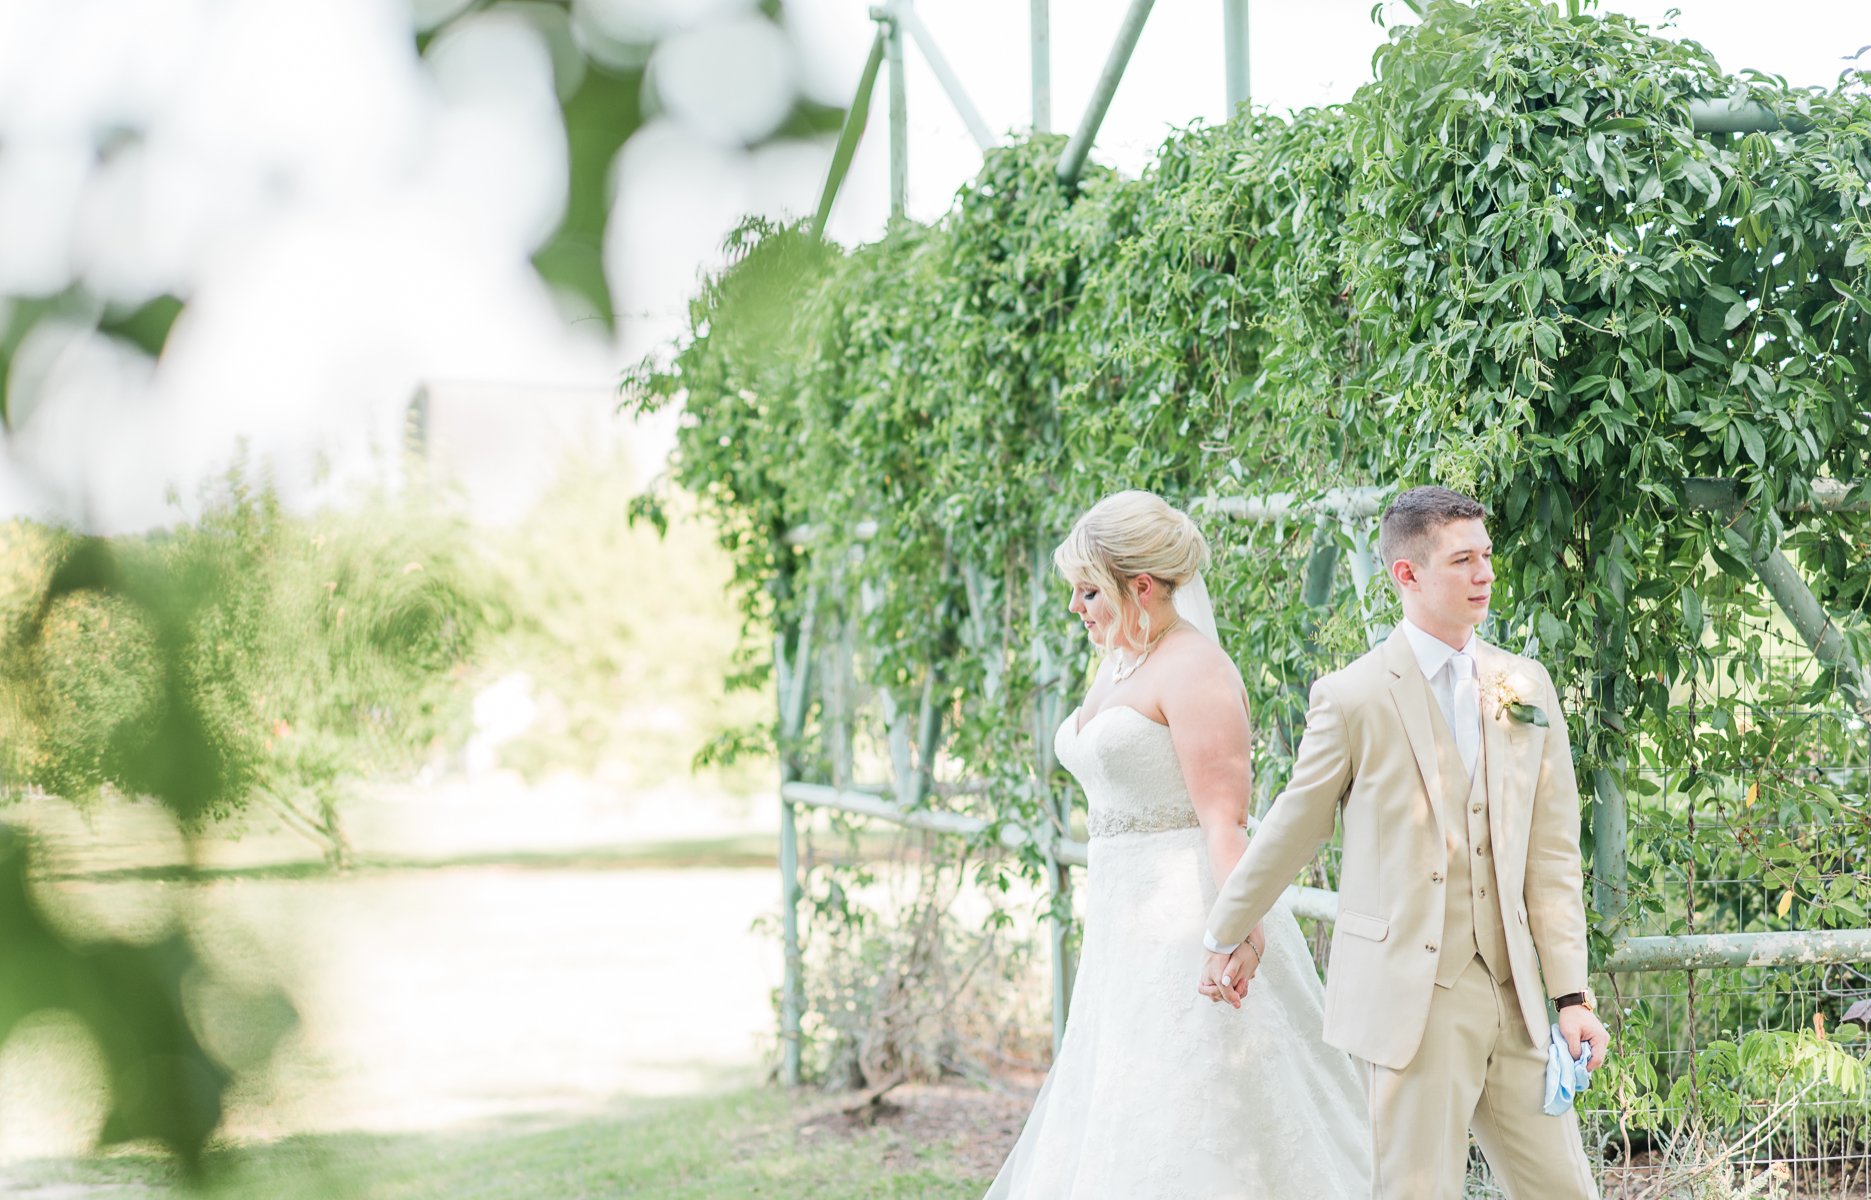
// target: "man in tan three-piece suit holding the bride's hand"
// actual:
[[1460, 881]]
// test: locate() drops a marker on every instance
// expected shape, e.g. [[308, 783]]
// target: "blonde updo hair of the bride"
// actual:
[[1125, 536]]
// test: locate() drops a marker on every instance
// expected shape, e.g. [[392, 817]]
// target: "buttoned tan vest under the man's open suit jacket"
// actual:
[[1472, 922]]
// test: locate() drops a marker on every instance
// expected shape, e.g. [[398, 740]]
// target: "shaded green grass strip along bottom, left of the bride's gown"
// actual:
[[757, 1143]]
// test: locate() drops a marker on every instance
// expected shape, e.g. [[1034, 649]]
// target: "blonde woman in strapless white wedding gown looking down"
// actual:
[[1157, 1090]]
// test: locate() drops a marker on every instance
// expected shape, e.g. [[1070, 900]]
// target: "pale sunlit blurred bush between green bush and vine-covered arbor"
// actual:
[[630, 637]]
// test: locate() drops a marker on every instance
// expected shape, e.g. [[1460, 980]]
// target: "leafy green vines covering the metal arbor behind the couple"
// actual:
[[1509, 265]]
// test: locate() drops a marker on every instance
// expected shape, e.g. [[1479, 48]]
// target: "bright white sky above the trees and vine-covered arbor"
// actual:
[[353, 222]]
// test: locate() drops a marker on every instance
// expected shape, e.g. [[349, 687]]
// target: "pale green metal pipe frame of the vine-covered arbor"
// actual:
[[1350, 510]]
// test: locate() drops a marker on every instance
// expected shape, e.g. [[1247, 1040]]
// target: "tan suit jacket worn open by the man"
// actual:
[[1371, 755]]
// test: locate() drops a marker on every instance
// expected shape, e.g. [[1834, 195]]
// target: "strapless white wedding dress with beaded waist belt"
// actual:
[[1157, 1090]]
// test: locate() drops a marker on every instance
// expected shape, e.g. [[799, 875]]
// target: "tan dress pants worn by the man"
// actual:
[[1477, 1068]]
